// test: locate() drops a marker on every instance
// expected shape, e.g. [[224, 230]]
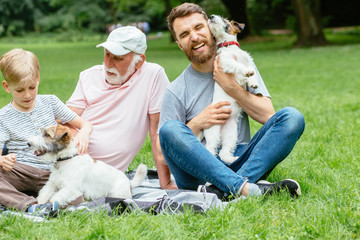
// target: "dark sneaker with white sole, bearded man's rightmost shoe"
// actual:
[[289, 185]]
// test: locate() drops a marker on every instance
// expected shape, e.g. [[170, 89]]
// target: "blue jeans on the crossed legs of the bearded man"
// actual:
[[192, 165]]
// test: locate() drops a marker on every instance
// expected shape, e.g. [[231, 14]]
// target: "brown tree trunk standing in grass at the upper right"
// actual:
[[310, 31]]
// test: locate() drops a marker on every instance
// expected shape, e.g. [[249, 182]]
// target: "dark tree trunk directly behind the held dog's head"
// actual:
[[238, 12]]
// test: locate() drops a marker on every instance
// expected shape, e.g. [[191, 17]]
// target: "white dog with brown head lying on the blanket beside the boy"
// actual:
[[74, 175]]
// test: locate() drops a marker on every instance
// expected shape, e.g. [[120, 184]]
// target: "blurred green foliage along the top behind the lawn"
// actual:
[[19, 17]]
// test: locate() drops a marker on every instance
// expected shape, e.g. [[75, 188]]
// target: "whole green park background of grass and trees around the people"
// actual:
[[318, 77]]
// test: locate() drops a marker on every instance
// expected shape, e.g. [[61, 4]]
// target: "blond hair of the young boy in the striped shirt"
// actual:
[[19, 65]]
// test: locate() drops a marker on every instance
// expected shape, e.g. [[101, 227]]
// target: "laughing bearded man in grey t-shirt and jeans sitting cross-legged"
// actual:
[[187, 109]]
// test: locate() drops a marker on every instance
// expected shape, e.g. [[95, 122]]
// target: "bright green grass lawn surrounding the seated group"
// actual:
[[323, 83]]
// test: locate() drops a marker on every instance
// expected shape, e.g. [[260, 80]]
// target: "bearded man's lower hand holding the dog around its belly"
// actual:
[[213, 114]]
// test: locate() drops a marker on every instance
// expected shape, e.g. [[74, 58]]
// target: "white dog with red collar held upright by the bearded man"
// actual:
[[233, 60]]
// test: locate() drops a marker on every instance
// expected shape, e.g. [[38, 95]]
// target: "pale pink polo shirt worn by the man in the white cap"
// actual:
[[119, 114]]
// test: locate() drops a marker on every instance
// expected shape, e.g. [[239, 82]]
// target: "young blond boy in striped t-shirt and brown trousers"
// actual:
[[21, 170]]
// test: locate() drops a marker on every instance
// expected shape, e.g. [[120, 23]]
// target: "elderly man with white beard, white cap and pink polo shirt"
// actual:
[[122, 99]]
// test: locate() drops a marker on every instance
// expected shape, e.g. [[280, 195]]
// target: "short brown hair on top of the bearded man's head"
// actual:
[[183, 10]]
